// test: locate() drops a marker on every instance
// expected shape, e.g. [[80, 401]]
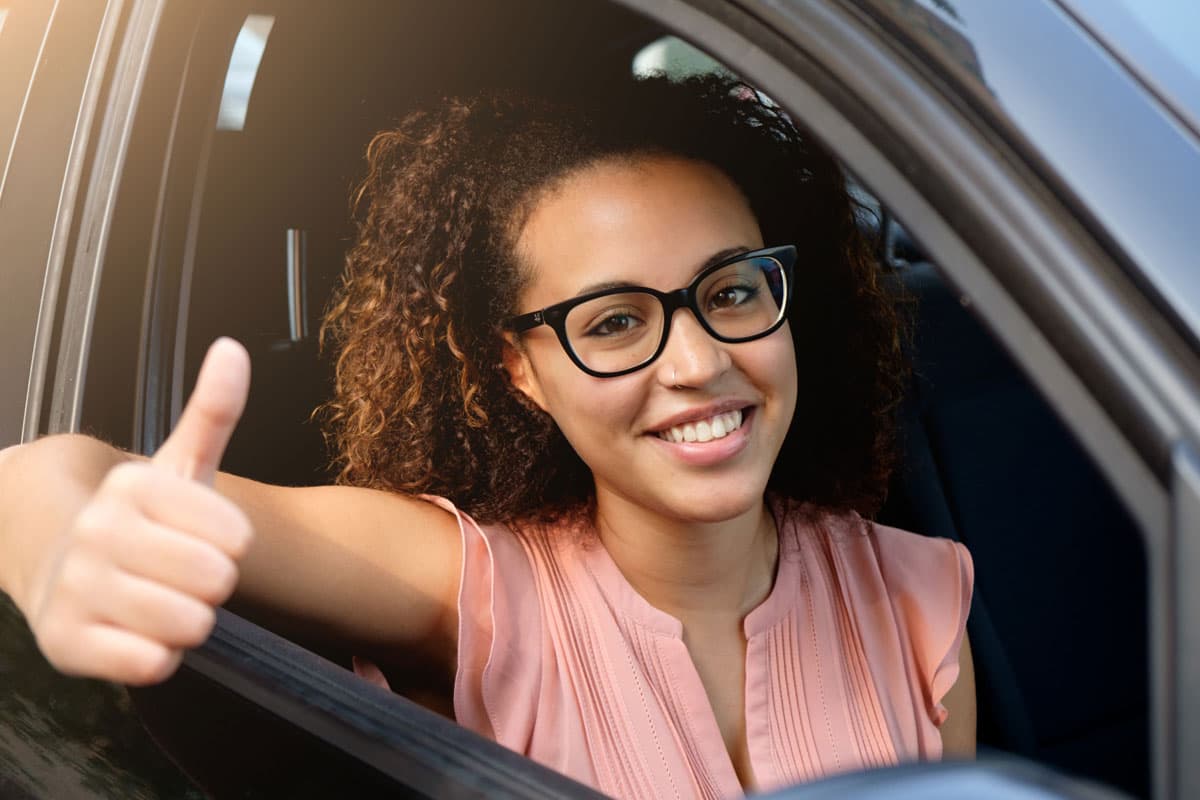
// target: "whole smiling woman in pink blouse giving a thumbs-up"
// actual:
[[615, 384]]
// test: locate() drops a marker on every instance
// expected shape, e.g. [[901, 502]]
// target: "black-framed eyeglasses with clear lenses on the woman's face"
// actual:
[[615, 332]]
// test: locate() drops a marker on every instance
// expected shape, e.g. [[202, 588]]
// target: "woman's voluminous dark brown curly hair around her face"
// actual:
[[423, 404]]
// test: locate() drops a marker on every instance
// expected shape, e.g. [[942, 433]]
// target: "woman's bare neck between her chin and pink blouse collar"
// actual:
[[698, 573]]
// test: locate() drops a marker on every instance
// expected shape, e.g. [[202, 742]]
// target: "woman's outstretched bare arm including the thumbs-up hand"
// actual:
[[117, 561]]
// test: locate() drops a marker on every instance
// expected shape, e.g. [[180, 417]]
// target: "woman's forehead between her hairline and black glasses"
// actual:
[[651, 221]]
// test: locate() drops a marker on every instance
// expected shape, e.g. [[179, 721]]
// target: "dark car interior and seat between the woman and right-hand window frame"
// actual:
[[1059, 622]]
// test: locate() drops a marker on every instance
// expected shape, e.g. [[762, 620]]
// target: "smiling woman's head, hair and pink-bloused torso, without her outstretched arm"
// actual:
[[555, 378]]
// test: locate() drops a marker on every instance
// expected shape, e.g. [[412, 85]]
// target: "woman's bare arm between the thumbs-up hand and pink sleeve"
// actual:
[[362, 569]]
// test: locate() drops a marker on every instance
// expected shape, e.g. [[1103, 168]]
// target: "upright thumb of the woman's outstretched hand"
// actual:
[[195, 448]]
